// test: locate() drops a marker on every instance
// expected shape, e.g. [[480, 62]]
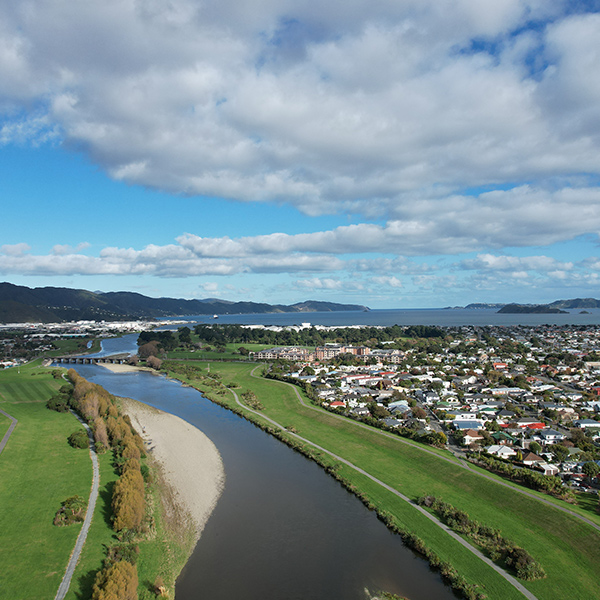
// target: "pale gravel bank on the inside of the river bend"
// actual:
[[191, 464]]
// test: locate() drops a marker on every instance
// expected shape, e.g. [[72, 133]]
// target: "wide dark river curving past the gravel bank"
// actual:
[[283, 529]]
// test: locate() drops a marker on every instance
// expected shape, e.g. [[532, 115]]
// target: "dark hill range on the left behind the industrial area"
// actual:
[[20, 304]]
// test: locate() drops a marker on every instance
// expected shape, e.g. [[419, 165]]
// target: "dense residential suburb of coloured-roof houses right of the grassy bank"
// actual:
[[528, 396]]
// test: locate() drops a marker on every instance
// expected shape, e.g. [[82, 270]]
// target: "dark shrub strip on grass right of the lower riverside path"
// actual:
[[498, 547]]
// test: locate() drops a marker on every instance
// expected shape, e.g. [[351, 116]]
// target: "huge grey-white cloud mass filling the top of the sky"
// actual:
[[364, 107]]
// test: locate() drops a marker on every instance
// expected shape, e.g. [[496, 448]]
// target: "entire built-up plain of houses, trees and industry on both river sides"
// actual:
[[515, 399]]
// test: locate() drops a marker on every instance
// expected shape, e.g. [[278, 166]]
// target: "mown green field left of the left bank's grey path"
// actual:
[[38, 470]]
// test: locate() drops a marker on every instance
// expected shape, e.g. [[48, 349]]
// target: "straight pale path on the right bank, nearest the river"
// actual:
[[519, 586]]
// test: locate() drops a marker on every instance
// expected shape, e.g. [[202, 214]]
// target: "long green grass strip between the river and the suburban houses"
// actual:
[[568, 549]]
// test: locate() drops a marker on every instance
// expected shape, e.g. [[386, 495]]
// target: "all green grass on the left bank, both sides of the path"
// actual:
[[38, 470]]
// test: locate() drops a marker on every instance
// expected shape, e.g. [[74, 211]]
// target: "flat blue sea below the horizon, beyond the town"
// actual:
[[448, 317]]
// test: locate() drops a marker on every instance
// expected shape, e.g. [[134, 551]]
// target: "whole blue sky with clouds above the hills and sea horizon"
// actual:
[[391, 153]]
